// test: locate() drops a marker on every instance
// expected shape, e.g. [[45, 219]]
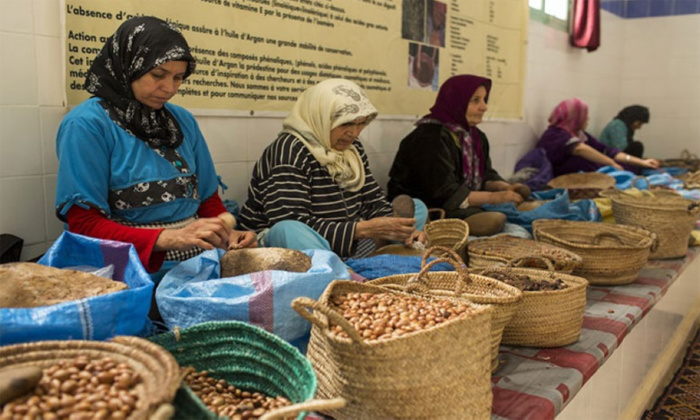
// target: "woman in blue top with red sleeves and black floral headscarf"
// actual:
[[134, 168]]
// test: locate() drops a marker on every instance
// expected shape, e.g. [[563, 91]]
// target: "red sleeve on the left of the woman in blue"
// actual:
[[92, 223]]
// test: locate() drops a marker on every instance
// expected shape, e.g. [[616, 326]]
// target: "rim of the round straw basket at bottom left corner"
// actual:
[[159, 372]]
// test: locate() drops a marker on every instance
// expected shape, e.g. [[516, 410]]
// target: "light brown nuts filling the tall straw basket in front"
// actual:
[[382, 316]]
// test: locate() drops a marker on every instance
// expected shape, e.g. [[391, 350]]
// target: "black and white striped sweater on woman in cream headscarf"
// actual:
[[288, 183]]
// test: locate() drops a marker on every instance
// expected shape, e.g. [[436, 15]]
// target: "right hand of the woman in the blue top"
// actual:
[[206, 233]]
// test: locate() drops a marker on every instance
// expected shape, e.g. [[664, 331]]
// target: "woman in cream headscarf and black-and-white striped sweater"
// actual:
[[313, 189]]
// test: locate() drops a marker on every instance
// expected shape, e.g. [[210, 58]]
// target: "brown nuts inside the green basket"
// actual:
[[227, 400]]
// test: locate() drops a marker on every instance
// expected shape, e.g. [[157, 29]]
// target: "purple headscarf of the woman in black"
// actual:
[[451, 109]]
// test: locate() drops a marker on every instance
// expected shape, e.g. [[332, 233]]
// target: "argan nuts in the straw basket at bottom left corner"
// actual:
[[79, 389]]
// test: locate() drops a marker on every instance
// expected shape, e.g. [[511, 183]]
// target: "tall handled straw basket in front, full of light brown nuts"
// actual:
[[439, 373]]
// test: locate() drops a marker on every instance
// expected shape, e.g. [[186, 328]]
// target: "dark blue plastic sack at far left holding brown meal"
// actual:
[[94, 318]]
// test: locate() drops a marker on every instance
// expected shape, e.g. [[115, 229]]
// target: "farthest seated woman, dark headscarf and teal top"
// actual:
[[619, 133]]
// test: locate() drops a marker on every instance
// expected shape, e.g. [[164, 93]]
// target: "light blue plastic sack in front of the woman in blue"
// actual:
[[193, 292]]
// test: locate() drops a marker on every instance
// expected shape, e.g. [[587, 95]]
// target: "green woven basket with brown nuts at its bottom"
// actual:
[[246, 356]]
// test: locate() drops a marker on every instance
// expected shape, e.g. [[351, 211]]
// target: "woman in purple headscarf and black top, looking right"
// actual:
[[445, 160]]
